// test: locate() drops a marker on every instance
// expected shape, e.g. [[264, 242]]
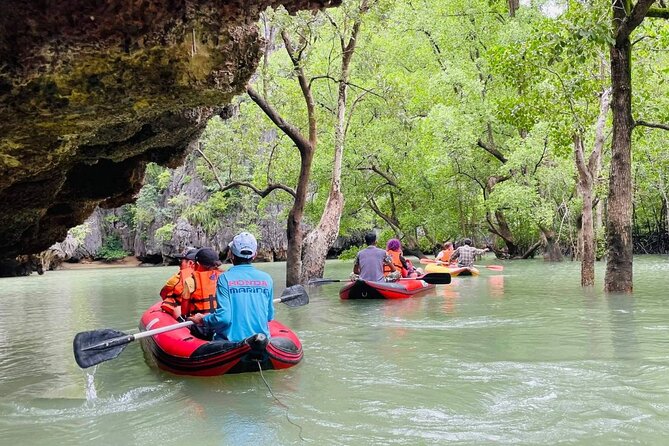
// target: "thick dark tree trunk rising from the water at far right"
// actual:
[[618, 276]]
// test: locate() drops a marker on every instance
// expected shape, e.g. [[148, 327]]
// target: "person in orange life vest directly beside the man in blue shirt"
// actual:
[[202, 300]]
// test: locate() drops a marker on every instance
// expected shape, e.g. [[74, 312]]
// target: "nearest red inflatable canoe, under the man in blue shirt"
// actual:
[[178, 351]]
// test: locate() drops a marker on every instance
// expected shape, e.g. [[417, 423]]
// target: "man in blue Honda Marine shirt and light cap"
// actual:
[[244, 295]]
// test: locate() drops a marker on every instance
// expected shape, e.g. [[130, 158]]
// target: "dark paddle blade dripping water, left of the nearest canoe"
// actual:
[[94, 347]]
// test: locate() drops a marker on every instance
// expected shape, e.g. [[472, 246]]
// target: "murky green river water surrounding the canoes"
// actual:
[[525, 356]]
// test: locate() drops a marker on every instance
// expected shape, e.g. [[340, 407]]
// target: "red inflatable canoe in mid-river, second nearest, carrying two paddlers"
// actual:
[[362, 289]]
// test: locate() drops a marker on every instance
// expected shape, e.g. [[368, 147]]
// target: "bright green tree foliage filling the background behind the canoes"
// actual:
[[459, 120]]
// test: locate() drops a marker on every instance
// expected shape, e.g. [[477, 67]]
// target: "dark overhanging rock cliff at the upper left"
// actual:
[[92, 90]]
